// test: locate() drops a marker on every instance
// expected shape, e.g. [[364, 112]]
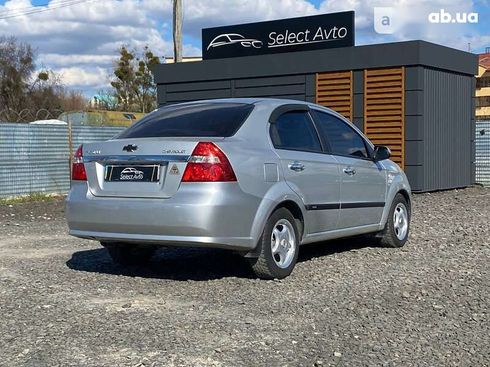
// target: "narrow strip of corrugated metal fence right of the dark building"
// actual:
[[482, 147]]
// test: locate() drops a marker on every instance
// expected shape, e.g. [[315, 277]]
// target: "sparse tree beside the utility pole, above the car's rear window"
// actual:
[[133, 80]]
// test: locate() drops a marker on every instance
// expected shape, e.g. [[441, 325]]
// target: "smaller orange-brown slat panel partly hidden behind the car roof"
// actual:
[[334, 90]]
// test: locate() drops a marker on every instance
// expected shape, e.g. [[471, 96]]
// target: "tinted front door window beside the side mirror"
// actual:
[[342, 138]]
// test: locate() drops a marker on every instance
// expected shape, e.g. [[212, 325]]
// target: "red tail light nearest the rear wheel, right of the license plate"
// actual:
[[208, 164]]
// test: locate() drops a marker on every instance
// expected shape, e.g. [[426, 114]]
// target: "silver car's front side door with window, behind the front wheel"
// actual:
[[363, 181]]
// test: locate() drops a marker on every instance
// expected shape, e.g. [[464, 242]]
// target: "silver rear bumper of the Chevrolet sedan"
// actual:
[[217, 215]]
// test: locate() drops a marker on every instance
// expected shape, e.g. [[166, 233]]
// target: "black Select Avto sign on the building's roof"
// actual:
[[286, 35]]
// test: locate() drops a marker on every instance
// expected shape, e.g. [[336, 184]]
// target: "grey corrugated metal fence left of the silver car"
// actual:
[[36, 158]]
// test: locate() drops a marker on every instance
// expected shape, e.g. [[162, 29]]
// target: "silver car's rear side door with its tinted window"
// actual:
[[311, 173]]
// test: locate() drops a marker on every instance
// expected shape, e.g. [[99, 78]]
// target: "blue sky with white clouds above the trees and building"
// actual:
[[79, 38]]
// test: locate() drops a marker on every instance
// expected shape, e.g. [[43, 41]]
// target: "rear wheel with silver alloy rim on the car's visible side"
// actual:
[[281, 233]]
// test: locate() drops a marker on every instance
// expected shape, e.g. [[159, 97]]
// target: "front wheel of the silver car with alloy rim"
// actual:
[[397, 228]]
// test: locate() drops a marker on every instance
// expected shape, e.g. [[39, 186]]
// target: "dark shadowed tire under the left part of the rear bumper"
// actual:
[[128, 254]]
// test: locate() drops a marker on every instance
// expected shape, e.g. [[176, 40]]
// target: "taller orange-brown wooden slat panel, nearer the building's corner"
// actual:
[[384, 110]]
